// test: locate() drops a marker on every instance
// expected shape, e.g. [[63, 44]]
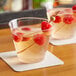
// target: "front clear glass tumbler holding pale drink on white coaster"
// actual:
[[30, 41]]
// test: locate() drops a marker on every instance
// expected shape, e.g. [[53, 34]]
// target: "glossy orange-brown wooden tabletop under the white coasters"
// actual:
[[67, 53]]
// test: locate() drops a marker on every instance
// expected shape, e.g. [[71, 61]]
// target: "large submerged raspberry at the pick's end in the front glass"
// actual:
[[39, 39]]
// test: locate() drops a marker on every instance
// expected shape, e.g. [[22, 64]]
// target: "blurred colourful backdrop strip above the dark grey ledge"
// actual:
[[20, 5]]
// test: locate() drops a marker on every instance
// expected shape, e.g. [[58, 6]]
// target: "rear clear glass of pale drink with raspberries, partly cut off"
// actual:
[[63, 20]]
